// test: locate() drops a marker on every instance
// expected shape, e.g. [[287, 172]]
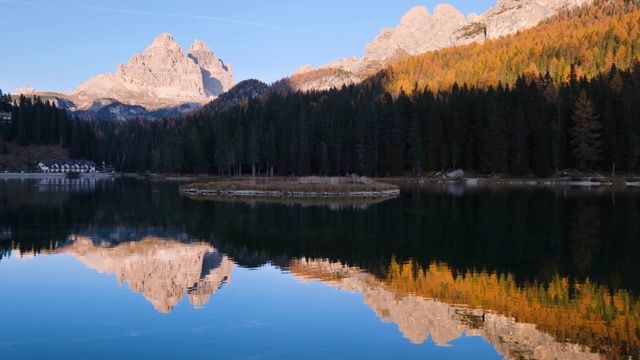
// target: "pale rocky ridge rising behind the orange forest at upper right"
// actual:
[[419, 32]]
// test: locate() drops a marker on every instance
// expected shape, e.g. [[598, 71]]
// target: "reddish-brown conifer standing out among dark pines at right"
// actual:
[[585, 134]]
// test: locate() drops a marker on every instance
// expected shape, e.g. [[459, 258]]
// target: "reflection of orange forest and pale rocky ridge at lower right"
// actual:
[[560, 321]]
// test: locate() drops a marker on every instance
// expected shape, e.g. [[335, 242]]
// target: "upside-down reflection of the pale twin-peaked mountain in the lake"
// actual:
[[161, 269]]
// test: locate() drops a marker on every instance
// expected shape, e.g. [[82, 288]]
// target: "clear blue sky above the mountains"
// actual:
[[57, 45]]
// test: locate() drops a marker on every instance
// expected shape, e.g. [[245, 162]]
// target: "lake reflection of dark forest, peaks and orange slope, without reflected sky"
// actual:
[[539, 273]]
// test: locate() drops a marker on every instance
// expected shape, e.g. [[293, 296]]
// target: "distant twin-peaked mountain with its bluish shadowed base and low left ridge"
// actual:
[[160, 82]]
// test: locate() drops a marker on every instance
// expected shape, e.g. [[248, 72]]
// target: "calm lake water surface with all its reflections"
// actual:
[[132, 269]]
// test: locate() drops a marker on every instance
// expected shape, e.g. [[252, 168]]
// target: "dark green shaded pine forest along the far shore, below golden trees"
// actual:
[[533, 127]]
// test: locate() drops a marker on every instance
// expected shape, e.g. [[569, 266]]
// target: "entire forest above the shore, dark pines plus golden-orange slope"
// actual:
[[545, 105]]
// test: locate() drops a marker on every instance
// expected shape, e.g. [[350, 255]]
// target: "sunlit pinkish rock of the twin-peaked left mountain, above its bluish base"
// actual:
[[161, 77]]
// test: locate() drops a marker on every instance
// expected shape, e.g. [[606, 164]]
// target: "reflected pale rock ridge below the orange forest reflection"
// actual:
[[418, 317]]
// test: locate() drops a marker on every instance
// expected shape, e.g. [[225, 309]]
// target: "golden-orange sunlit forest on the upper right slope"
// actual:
[[586, 40]]
